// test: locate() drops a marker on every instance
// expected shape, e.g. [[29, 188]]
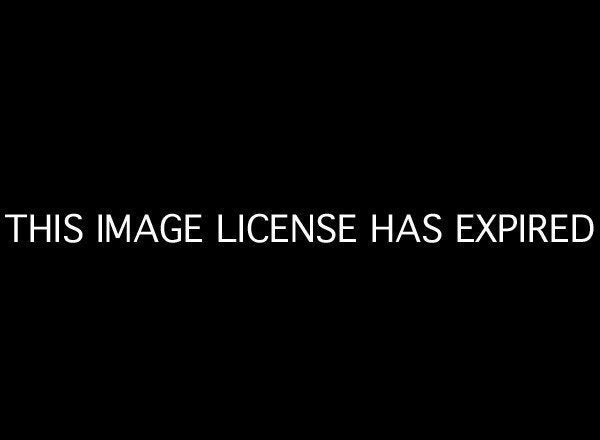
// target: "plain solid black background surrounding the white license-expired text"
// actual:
[[368, 113]]
